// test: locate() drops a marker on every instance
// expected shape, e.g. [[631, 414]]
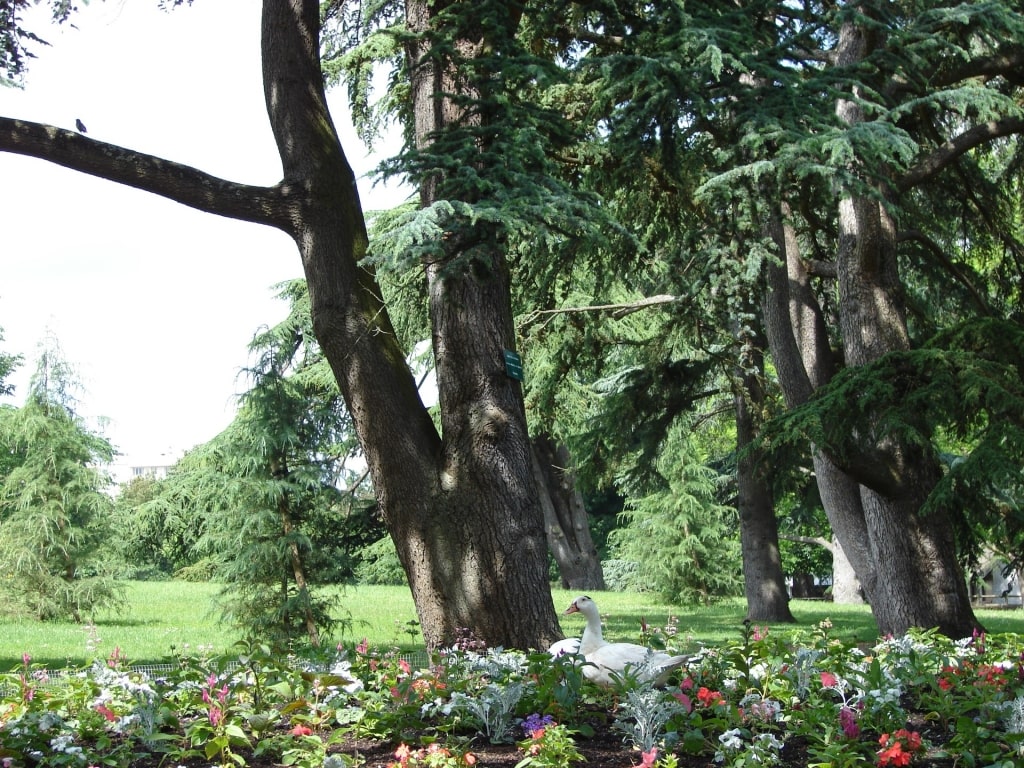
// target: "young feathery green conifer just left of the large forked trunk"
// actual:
[[261, 502]]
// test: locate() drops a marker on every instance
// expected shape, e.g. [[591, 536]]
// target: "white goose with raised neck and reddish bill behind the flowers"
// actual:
[[607, 662]]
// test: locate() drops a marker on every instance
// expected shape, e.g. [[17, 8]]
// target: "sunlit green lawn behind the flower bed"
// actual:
[[166, 618]]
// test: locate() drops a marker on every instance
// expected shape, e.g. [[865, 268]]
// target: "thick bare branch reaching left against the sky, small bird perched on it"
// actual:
[[183, 184]]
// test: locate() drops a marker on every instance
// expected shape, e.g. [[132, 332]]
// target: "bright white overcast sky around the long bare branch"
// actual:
[[153, 303]]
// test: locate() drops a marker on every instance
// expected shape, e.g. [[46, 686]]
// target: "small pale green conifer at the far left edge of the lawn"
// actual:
[[55, 515]]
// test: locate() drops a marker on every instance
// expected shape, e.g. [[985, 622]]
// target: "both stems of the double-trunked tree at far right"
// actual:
[[907, 565]]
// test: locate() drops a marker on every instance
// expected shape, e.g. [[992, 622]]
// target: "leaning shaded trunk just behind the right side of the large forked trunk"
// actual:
[[566, 518]]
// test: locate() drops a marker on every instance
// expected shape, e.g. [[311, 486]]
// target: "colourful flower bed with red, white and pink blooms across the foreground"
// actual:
[[812, 701]]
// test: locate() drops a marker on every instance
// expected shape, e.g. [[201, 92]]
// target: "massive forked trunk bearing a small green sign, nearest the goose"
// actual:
[[463, 511]]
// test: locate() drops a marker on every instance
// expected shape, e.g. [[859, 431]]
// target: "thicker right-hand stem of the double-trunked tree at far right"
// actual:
[[920, 581]]
